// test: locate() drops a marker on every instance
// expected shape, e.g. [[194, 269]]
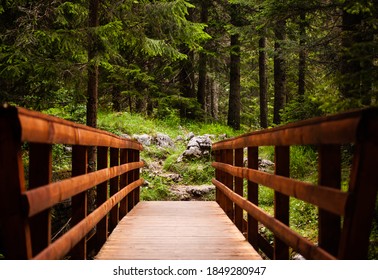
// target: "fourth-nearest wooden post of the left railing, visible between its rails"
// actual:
[[102, 197]]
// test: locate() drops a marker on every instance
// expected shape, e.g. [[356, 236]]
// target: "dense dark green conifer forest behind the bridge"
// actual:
[[250, 63]]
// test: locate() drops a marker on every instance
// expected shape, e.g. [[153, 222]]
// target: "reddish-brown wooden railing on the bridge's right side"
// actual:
[[345, 217]]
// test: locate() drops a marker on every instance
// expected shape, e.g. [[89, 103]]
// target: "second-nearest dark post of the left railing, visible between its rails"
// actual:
[[40, 173]]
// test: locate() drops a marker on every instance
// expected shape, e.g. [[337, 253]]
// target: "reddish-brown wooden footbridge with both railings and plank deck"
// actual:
[[122, 227]]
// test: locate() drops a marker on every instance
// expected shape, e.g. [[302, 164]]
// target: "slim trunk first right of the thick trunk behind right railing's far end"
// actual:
[[263, 83]]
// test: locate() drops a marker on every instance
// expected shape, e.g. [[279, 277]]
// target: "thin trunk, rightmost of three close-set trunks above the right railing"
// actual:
[[302, 56]]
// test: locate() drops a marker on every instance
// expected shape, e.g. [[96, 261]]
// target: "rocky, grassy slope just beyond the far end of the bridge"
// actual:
[[190, 149]]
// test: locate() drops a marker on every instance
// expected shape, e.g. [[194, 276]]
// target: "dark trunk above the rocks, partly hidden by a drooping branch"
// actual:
[[202, 71]]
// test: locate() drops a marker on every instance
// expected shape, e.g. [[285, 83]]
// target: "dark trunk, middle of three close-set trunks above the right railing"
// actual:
[[279, 71]]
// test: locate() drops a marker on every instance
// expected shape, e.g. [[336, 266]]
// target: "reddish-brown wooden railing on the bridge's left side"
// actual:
[[25, 209]]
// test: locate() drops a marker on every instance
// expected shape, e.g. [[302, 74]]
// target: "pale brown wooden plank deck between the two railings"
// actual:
[[187, 230]]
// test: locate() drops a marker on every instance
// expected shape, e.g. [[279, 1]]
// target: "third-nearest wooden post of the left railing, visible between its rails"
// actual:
[[80, 201]]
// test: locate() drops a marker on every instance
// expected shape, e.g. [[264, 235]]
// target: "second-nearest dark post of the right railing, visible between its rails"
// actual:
[[329, 175]]
